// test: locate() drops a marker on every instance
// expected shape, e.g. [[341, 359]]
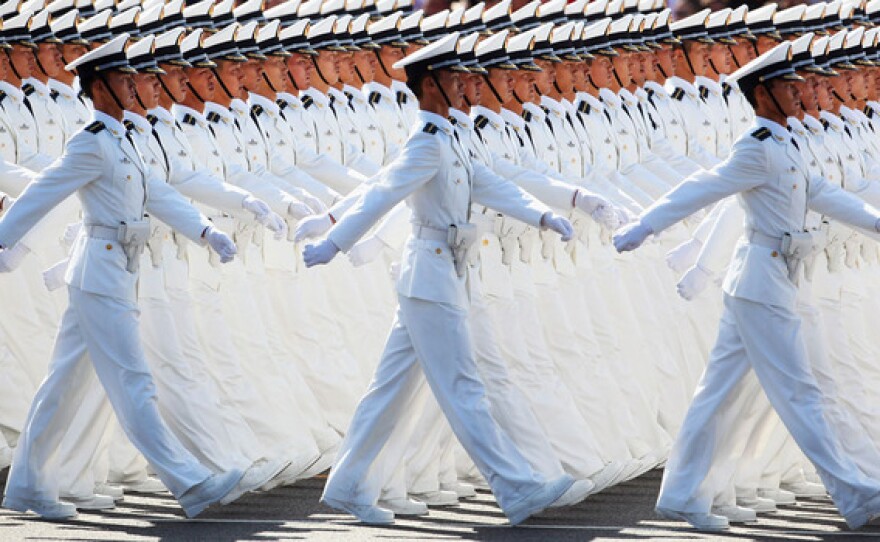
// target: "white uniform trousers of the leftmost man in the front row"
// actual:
[[102, 330]]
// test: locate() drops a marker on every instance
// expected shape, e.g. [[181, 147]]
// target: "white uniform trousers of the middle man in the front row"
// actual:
[[429, 342]]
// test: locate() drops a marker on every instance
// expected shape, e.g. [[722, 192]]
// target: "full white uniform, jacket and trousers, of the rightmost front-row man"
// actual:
[[760, 329]]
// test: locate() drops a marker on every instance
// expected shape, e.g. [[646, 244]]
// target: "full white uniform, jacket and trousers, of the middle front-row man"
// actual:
[[430, 339]]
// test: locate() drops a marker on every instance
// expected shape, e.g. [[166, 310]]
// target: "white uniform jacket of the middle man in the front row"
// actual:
[[438, 180]]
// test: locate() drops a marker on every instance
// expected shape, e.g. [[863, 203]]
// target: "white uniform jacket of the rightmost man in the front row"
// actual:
[[775, 188]]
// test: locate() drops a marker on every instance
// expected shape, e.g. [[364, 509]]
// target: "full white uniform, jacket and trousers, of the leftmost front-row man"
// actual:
[[114, 186]]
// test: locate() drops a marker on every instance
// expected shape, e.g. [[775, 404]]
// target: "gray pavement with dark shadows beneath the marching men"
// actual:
[[624, 512]]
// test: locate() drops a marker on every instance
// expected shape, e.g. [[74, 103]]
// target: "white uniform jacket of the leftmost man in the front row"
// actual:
[[114, 186]]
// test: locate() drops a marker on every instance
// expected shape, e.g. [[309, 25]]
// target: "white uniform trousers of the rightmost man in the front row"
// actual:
[[767, 339]]
